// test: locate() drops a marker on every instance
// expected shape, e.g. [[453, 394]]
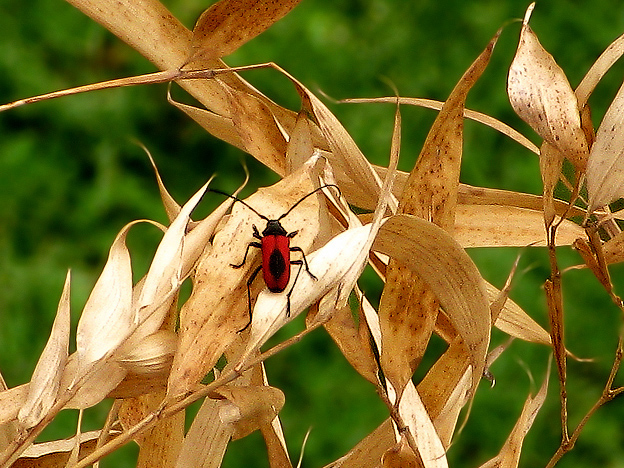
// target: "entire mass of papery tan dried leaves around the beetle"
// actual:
[[126, 344]]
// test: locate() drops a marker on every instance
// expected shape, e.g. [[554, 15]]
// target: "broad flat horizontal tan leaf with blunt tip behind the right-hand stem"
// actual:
[[507, 226]]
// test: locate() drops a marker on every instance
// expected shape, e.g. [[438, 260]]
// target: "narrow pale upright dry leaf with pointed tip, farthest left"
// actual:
[[46, 378]]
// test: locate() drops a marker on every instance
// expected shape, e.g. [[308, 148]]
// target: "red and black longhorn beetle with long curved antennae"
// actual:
[[275, 247]]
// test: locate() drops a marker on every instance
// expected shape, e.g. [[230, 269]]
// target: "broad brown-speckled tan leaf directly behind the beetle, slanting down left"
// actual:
[[218, 306]]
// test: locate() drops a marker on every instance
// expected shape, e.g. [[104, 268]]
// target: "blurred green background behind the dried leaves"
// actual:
[[71, 177]]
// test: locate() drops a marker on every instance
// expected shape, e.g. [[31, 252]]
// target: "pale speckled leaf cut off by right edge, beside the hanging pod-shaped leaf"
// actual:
[[605, 174]]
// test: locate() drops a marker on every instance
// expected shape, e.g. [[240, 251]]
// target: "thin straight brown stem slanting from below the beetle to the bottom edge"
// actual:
[[169, 408]]
